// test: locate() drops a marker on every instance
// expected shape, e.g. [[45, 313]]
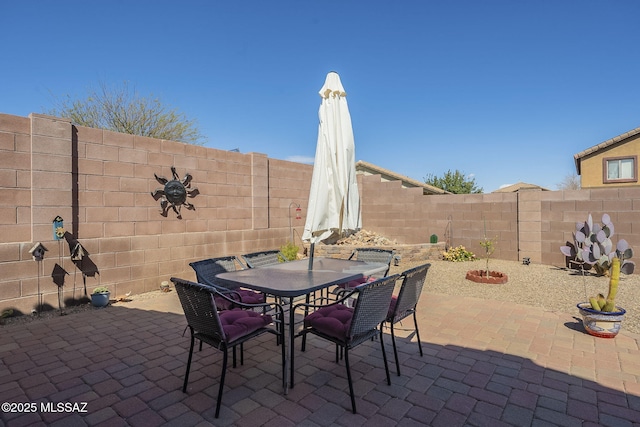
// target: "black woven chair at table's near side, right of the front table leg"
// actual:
[[349, 327]]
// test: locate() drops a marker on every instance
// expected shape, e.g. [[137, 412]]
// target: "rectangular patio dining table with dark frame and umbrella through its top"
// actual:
[[295, 279]]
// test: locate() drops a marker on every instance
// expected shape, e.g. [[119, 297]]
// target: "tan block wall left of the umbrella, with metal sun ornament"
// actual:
[[100, 183]]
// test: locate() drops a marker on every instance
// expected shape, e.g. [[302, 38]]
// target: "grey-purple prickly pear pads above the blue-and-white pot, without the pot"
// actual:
[[593, 246]]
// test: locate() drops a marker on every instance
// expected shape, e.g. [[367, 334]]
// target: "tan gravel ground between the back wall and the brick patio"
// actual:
[[553, 288]]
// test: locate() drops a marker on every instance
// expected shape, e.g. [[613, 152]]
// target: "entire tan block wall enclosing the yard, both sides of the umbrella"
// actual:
[[100, 183]]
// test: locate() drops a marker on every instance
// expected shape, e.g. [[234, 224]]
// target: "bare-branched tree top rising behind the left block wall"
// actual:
[[123, 109]]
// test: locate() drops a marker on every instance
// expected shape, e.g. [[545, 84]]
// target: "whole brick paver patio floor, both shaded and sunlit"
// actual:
[[485, 364]]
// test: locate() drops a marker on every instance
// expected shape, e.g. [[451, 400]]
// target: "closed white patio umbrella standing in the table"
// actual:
[[334, 201]]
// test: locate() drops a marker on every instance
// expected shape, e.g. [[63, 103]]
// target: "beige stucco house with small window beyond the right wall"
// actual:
[[612, 163]]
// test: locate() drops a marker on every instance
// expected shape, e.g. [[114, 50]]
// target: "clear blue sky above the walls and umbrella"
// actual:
[[504, 91]]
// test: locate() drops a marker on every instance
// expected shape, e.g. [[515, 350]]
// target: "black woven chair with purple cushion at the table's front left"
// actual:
[[224, 329]]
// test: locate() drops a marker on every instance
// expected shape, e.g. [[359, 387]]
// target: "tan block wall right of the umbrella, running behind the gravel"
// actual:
[[532, 224]]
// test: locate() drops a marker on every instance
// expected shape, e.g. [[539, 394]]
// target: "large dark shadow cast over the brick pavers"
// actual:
[[118, 354]]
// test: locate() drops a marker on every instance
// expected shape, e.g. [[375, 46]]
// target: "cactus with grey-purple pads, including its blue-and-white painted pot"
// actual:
[[593, 246]]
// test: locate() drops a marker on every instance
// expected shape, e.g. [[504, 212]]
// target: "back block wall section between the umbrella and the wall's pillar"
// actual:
[[412, 218]]
